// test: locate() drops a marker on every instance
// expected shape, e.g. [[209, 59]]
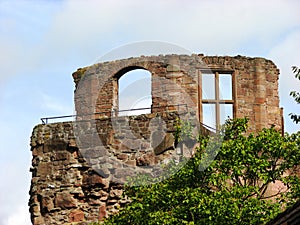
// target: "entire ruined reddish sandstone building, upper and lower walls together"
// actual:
[[67, 185]]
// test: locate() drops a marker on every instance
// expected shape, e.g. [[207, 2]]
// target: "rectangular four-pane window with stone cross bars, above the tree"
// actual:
[[217, 98]]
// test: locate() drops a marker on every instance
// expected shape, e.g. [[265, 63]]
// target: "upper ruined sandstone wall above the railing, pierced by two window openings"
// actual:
[[175, 80]]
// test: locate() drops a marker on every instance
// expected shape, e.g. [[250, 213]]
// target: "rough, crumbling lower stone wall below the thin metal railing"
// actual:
[[65, 186]]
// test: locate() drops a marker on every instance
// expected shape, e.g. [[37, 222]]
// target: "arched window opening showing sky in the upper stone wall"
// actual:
[[134, 89]]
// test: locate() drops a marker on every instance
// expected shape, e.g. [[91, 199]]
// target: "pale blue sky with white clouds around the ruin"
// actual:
[[43, 42]]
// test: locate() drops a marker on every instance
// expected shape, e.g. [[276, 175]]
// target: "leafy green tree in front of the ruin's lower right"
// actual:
[[232, 190]]
